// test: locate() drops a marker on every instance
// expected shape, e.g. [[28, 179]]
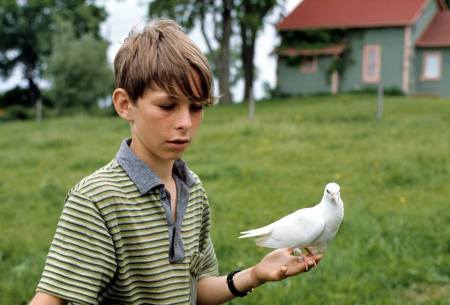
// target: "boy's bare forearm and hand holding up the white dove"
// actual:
[[275, 266]]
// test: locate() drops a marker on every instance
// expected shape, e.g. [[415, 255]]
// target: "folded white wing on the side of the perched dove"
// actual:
[[299, 229]]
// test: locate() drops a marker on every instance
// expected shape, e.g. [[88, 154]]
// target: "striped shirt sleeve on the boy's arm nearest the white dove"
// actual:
[[210, 266]]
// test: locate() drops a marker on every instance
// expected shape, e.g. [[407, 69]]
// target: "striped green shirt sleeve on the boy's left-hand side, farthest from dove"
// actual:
[[81, 260]]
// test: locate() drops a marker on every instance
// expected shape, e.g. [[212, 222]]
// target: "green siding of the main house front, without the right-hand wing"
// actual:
[[290, 80]]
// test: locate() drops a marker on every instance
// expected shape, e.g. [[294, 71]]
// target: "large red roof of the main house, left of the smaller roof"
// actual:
[[317, 14]]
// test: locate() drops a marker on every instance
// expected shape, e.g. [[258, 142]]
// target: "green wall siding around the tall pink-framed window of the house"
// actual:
[[390, 41]]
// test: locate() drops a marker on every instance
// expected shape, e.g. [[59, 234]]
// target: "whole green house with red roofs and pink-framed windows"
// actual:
[[404, 45]]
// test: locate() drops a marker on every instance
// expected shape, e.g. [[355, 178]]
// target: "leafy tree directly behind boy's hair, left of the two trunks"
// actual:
[[211, 14]]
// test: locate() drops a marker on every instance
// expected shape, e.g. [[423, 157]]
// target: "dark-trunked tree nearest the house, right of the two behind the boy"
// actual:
[[251, 15]]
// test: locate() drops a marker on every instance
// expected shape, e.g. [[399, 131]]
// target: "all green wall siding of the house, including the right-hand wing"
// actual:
[[391, 42]]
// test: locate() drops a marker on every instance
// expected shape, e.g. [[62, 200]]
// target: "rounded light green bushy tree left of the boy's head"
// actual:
[[78, 69]]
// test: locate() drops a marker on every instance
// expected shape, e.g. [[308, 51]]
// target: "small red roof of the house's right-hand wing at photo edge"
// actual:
[[437, 33]]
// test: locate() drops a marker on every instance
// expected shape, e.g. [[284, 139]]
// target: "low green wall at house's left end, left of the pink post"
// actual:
[[292, 81]]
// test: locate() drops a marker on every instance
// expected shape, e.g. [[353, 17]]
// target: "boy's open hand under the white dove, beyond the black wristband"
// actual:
[[280, 263]]
